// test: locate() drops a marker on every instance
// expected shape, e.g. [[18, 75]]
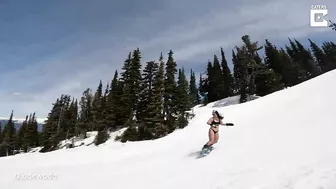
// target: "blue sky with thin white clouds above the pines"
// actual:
[[54, 47]]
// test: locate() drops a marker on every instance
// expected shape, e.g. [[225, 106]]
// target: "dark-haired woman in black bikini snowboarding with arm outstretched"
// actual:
[[215, 121]]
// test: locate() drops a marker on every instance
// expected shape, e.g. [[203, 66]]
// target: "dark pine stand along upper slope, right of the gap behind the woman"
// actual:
[[255, 75]]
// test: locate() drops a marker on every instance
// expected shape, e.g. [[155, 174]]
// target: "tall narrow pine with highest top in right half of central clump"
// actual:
[[170, 92]]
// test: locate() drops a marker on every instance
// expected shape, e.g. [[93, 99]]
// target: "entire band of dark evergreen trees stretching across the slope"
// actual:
[[153, 99]]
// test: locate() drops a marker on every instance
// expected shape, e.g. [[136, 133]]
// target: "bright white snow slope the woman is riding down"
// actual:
[[285, 140]]
